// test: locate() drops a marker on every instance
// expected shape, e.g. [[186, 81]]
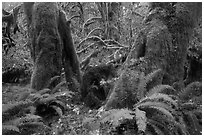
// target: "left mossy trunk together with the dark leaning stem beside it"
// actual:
[[50, 38]]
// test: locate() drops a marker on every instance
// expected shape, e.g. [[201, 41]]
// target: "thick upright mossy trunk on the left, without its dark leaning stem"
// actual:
[[45, 41]]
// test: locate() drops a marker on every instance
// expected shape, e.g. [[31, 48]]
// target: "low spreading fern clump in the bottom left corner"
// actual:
[[19, 118]]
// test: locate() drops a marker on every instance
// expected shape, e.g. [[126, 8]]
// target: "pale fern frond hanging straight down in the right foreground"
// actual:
[[141, 120]]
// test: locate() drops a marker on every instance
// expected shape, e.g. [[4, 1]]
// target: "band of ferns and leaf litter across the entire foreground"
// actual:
[[160, 110]]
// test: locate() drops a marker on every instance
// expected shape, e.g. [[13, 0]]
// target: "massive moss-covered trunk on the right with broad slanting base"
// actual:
[[162, 44]]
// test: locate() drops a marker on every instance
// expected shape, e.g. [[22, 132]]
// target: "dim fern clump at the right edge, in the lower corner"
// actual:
[[190, 107]]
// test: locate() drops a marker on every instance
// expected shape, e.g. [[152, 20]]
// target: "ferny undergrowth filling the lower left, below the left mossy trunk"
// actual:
[[35, 109]]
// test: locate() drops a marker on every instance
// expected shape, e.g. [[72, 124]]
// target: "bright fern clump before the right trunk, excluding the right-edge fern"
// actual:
[[154, 113]]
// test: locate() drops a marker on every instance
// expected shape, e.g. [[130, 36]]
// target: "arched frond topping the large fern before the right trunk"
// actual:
[[166, 89]]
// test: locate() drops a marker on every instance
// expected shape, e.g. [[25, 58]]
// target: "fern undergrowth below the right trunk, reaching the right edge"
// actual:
[[160, 110]]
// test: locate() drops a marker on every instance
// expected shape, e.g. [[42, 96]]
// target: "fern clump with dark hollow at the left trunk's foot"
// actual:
[[52, 102]]
